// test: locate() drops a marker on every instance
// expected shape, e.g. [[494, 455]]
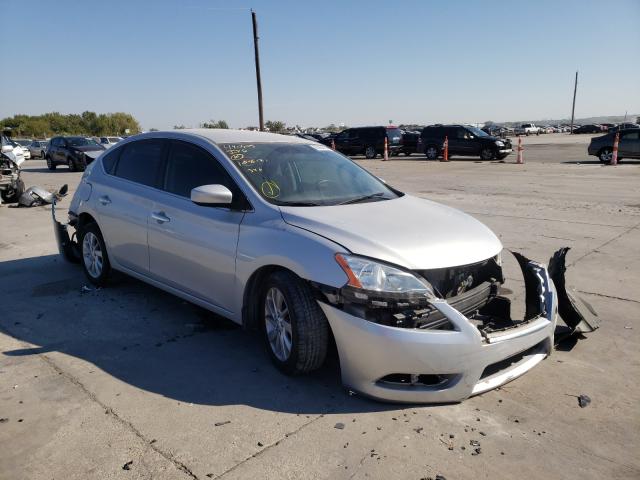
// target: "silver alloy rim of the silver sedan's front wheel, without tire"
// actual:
[[278, 324]]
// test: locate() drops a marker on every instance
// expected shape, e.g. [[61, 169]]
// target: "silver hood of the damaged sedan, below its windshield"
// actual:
[[411, 232]]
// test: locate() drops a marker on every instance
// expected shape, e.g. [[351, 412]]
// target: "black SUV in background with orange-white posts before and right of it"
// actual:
[[463, 140]]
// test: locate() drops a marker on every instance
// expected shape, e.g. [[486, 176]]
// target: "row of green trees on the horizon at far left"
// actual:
[[54, 123]]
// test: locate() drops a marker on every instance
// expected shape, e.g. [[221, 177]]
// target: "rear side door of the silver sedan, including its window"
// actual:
[[124, 200]]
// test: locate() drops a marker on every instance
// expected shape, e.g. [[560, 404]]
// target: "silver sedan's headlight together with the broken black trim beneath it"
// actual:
[[380, 284]]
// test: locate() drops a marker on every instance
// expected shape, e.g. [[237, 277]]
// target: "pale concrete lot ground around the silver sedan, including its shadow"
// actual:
[[92, 381]]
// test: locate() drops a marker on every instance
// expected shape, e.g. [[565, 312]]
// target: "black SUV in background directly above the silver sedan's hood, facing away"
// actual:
[[368, 141]]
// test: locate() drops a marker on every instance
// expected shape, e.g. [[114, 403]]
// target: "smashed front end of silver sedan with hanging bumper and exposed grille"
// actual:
[[459, 340]]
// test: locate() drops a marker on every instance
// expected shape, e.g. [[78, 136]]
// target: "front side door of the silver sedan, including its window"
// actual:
[[193, 247]]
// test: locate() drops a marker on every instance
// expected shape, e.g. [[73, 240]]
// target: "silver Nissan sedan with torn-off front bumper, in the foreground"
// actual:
[[285, 235]]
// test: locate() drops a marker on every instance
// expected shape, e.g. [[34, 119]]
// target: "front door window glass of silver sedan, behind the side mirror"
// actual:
[[189, 167]]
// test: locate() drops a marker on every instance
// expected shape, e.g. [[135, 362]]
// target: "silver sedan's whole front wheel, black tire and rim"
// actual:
[[303, 324]]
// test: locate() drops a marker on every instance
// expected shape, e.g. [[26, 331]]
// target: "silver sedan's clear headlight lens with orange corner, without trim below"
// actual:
[[380, 279]]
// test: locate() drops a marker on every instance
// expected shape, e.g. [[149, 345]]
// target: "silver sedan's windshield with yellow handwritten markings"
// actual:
[[304, 175]]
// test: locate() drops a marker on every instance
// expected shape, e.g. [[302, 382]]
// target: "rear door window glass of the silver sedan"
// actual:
[[141, 162]]
